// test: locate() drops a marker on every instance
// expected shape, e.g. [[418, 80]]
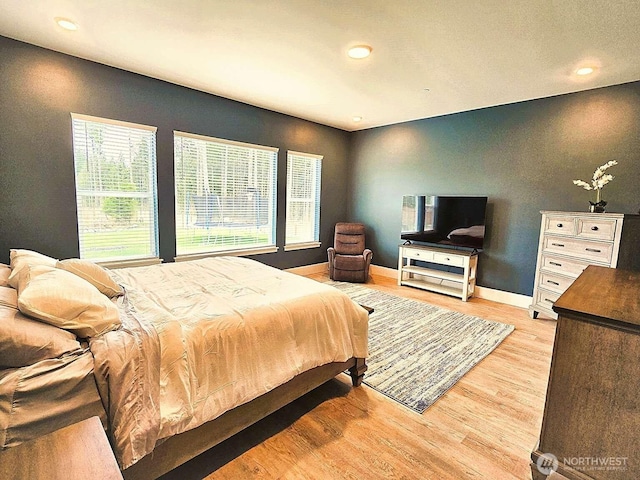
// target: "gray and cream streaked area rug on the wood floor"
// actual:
[[418, 351]]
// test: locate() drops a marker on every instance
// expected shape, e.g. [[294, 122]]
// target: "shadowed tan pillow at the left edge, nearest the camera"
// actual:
[[24, 341]]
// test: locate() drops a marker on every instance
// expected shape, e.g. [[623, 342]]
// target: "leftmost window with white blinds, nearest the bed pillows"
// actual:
[[115, 169]]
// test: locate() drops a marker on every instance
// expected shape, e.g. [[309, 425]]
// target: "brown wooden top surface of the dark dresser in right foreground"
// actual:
[[604, 295]]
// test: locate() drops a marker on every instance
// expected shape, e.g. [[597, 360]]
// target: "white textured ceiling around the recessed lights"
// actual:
[[429, 57]]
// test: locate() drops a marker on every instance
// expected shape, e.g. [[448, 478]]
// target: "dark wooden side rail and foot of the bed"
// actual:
[[181, 448]]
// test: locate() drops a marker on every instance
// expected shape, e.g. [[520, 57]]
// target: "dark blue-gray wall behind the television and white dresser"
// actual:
[[523, 156]]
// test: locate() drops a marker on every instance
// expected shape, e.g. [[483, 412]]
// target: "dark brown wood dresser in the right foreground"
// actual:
[[591, 420]]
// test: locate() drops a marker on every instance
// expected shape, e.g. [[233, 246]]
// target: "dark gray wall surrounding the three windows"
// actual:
[[38, 90]]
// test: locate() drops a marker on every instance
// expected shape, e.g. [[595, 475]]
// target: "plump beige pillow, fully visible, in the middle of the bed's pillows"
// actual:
[[65, 300]]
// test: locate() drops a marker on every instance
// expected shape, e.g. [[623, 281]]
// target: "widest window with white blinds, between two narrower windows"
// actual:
[[225, 196]]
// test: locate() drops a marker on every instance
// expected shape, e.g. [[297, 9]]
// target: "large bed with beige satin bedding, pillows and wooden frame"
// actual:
[[195, 351]]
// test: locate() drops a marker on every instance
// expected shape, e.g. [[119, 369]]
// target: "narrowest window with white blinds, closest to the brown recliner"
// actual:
[[303, 200]]
